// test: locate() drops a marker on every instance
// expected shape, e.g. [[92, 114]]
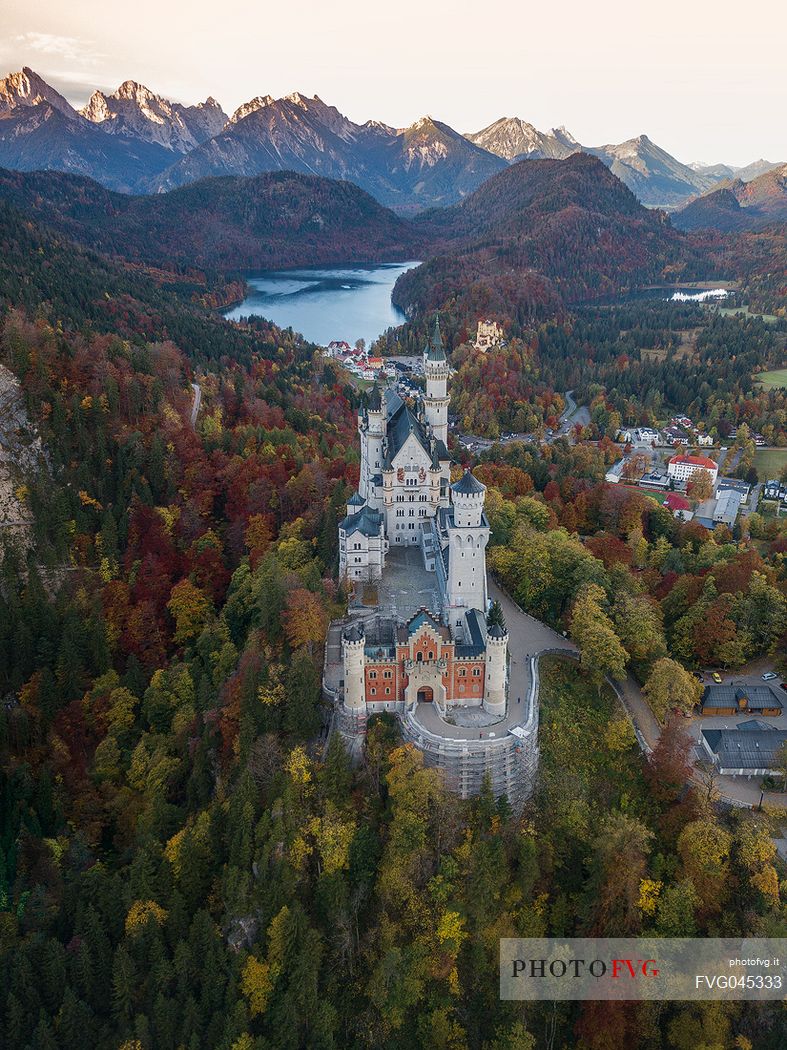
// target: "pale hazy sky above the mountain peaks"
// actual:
[[706, 79]]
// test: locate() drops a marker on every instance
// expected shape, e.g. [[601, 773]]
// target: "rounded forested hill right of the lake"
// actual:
[[540, 234]]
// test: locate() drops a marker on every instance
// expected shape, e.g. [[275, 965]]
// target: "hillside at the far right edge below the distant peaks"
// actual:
[[738, 206]]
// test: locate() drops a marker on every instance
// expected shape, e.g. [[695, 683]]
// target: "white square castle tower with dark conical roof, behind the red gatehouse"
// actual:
[[469, 536]]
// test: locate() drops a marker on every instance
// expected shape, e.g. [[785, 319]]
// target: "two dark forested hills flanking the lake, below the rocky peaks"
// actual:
[[533, 239]]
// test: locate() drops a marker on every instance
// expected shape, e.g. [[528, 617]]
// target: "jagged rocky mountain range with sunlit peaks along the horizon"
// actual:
[[136, 141]]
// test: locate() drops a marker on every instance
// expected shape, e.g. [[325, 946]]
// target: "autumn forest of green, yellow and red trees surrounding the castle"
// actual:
[[183, 863]]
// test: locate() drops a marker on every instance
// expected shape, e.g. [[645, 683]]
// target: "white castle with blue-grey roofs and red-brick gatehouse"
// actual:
[[408, 516]]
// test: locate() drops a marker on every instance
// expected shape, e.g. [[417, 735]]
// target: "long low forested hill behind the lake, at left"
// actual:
[[225, 224]]
